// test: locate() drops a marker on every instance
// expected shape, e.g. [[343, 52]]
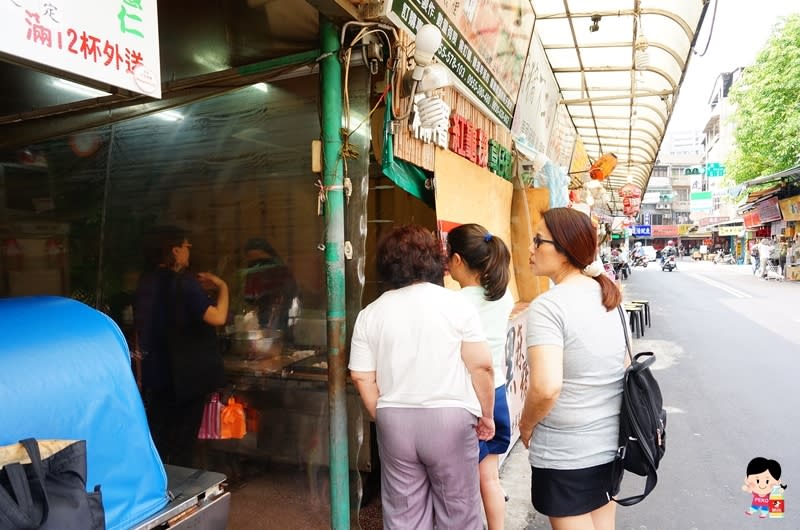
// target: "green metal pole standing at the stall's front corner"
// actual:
[[333, 179]]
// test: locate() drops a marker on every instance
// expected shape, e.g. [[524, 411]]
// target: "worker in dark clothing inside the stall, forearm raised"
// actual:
[[173, 312]]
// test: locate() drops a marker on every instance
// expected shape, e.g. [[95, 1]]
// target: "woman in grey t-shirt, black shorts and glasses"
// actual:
[[576, 354]]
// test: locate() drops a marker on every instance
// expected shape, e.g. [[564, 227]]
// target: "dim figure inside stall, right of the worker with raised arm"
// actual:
[[268, 284]]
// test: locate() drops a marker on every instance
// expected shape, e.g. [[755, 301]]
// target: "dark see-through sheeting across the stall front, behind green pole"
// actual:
[[78, 216]]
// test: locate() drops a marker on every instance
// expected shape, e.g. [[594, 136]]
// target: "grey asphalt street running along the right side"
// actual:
[[728, 360]]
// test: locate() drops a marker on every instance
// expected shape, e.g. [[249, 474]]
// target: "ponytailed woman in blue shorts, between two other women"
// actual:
[[479, 262]]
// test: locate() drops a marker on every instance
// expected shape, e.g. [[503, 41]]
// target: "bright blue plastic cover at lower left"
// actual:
[[65, 373]]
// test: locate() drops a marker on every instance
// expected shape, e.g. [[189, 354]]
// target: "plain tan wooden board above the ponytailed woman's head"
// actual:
[[467, 193]]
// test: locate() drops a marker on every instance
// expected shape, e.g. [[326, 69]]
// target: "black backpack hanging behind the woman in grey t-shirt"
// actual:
[[643, 423]]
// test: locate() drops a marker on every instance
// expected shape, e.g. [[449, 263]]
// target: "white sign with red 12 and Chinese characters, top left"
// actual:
[[112, 42]]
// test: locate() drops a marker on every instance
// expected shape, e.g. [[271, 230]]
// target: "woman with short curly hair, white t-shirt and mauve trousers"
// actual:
[[420, 361]]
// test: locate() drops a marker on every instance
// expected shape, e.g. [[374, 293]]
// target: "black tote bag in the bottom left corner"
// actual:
[[49, 493]]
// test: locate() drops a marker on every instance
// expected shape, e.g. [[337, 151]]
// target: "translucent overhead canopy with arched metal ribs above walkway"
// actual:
[[618, 104]]
